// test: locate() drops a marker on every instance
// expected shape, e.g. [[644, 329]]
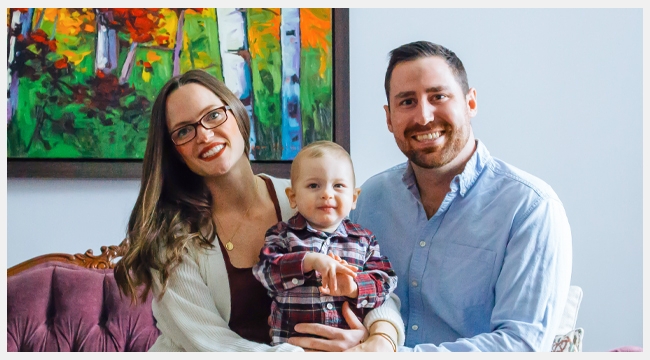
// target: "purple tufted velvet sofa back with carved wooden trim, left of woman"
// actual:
[[60, 302]]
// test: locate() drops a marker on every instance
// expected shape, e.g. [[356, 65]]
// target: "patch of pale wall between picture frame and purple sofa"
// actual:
[[66, 216]]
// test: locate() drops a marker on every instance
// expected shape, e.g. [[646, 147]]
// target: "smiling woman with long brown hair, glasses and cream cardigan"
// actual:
[[198, 225]]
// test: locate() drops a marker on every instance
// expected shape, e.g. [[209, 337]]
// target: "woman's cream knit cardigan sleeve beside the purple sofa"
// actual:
[[188, 317]]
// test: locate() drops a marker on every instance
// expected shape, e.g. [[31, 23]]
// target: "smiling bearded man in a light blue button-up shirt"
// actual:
[[482, 249]]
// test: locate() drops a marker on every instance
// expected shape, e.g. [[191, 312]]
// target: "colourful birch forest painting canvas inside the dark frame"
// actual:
[[81, 81]]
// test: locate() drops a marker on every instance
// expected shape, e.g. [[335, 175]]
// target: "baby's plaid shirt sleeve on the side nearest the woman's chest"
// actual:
[[278, 269]]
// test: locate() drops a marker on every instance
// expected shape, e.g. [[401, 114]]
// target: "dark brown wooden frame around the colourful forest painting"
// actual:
[[132, 169]]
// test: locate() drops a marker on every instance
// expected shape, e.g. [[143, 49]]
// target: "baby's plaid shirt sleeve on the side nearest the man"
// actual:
[[377, 279]]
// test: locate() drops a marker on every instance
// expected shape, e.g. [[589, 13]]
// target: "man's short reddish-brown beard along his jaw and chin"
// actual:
[[456, 139]]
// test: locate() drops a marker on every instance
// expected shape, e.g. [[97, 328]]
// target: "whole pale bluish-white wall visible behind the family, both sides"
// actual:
[[559, 94]]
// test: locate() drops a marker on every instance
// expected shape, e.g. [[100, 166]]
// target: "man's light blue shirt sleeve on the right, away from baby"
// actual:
[[532, 288]]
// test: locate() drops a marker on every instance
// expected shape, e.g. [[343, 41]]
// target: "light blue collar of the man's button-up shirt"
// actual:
[[461, 182]]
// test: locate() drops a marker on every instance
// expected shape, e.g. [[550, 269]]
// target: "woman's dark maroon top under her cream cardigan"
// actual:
[[249, 300]]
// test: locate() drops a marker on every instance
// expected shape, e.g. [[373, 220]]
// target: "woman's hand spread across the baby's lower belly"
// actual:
[[335, 339]]
